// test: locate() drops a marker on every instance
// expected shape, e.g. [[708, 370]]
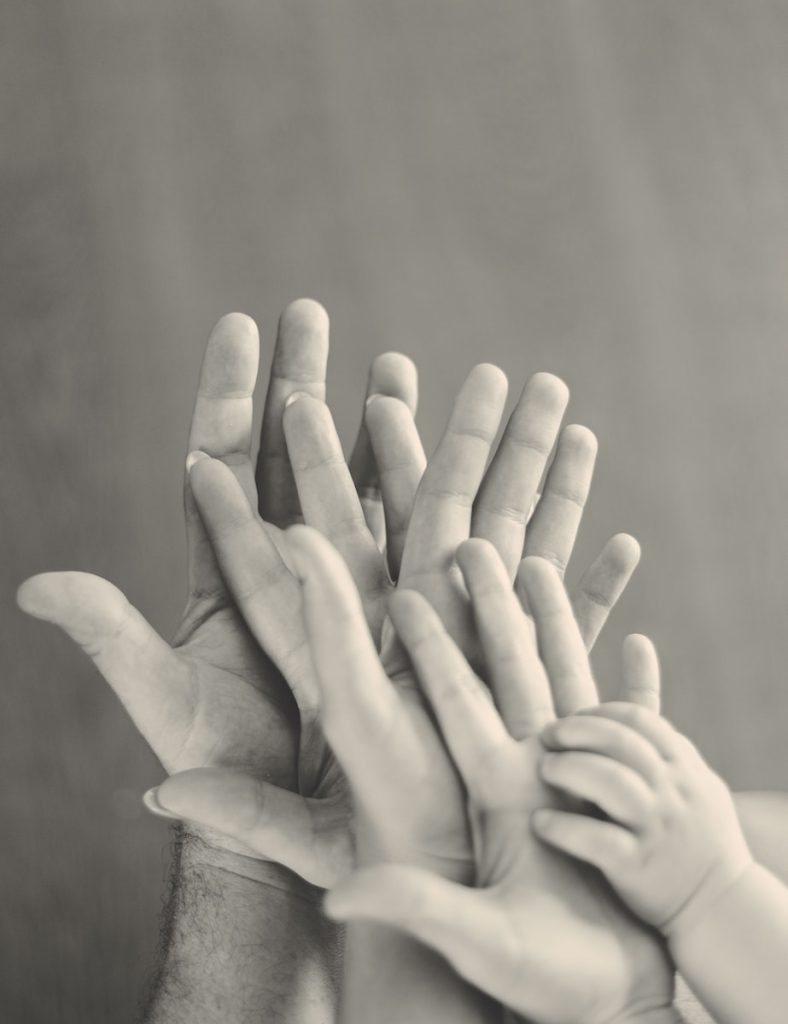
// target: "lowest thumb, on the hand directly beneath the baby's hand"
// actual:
[[462, 924]]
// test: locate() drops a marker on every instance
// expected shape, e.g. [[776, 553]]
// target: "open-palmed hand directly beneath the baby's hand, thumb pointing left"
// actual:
[[543, 934]]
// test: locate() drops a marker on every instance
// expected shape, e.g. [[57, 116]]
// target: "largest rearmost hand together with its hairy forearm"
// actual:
[[215, 699]]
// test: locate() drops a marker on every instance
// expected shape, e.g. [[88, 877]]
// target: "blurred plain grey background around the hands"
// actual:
[[600, 190]]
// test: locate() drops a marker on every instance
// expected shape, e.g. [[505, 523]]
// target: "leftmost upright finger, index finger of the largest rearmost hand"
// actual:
[[222, 425]]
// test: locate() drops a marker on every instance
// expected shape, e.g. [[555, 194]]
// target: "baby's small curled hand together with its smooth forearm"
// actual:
[[672, 847]]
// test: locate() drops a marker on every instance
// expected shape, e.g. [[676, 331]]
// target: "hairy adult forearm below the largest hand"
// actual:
[[238, 950]]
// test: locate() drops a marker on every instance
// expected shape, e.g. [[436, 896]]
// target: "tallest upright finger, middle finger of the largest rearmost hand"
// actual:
[[300, 361]]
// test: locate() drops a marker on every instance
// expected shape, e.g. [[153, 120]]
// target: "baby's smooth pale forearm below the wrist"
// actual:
[[734, 956]]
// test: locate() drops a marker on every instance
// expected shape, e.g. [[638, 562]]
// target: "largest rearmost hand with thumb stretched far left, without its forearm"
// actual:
[[215, 698]]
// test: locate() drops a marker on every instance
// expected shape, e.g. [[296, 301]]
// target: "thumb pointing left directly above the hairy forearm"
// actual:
[[311, 837]]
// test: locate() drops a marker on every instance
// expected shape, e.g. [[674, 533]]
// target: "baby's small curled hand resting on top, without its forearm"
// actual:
[[671, 841]]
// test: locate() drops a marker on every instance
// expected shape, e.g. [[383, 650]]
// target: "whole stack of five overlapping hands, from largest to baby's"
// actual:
[[396, 701]]
